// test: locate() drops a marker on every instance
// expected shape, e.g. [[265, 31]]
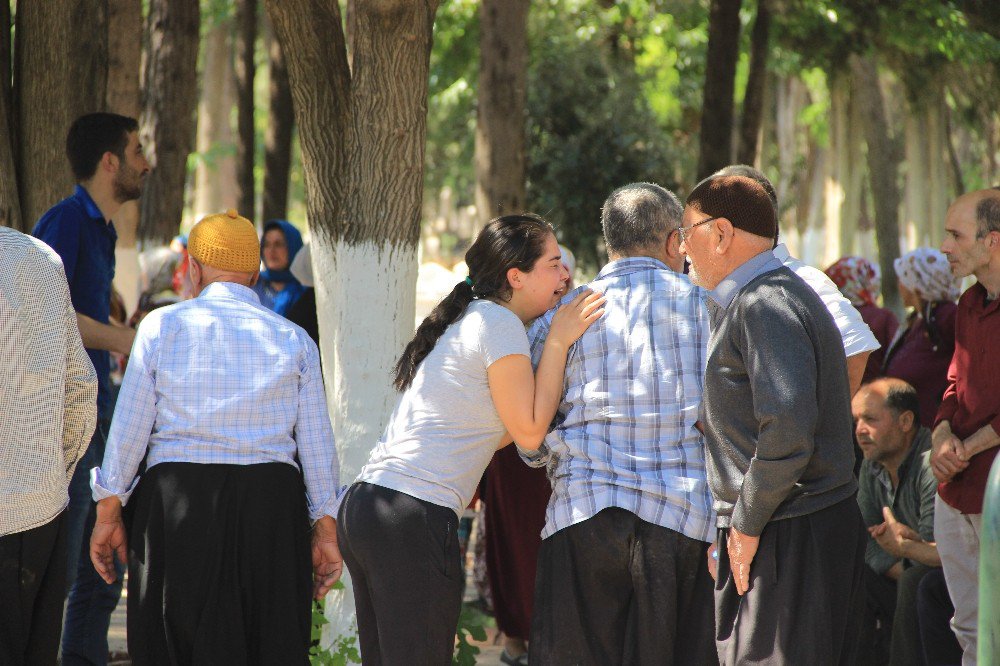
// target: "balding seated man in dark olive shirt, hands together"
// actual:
[[896, 495]]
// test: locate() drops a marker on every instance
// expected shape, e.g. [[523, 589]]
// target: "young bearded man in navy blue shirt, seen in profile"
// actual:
[[109, 166]]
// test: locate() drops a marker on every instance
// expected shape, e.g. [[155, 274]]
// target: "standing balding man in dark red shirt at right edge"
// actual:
[[965, 437]]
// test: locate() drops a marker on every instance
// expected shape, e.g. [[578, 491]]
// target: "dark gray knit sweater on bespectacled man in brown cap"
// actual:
[[777, 405]]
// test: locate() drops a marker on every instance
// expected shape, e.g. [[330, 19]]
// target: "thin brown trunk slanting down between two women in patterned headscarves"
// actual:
[[883, 169]]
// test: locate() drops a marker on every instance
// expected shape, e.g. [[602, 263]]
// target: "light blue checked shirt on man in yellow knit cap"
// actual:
[[222, 379]]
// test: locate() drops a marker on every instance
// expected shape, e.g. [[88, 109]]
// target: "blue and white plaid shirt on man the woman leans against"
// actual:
[[624, 434]]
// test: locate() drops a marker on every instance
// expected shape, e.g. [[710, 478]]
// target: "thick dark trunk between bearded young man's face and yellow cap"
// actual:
[[170, 96]]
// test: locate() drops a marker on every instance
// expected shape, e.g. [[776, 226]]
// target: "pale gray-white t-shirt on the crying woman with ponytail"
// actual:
[[445, 429]]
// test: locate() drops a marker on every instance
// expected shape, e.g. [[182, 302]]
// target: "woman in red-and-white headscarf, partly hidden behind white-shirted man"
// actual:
[[860, 282]]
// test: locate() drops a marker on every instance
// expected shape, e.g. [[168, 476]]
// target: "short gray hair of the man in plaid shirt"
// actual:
[[638, 216]]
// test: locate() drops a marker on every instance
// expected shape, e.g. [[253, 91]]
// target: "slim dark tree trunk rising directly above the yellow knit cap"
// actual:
[[246, 41]]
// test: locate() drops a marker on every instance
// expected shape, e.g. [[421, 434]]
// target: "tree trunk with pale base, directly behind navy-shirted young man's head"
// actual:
[[123, 96]]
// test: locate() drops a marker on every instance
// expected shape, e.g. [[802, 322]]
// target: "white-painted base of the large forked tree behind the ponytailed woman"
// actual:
[[365, 296]]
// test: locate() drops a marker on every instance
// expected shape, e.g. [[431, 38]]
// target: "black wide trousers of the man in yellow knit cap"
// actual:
[[219, 565]]
